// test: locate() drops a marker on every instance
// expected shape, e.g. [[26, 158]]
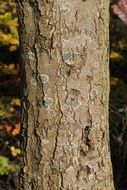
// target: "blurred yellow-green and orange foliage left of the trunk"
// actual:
[[9, 95]]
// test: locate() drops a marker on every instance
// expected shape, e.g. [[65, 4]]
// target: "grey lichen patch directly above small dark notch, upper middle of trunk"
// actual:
[[68, 58]]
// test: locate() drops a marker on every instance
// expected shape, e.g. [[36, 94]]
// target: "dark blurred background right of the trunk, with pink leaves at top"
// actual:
[[118, 92]]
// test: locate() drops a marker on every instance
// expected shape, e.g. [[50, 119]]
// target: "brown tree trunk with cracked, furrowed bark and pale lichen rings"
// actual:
[[65, 141]]
